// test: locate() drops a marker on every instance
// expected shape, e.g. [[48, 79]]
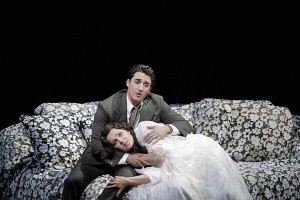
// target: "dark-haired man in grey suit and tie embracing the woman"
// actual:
[[98, 160]]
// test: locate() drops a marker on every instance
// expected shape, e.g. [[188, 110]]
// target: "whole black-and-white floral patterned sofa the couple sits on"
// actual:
[[38, 153]]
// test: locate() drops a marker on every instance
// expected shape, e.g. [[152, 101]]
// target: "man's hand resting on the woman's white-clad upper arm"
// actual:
[[157, 133]]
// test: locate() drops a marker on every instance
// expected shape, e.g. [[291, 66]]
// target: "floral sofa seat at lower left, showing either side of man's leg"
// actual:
[[36, 183]]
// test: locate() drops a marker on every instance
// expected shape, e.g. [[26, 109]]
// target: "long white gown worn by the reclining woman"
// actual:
[[194, 167]]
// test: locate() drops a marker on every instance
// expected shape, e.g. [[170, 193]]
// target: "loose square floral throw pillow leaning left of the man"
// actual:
[[56, 139]]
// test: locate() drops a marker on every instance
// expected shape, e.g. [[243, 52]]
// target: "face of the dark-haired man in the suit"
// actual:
[[138, 87]]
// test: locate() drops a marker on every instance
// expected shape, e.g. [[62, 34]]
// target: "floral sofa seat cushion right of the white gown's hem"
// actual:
[[274, 179]]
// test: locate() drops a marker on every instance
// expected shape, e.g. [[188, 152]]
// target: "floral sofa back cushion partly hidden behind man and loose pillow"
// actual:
[[84, 113]]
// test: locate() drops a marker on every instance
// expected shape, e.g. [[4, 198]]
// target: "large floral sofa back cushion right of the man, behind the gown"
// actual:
[[248, 130]]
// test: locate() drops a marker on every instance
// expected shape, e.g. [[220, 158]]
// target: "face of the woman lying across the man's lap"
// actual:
[[121, 139]]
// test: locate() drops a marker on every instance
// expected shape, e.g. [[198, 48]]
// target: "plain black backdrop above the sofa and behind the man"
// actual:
[[57, 51]]
